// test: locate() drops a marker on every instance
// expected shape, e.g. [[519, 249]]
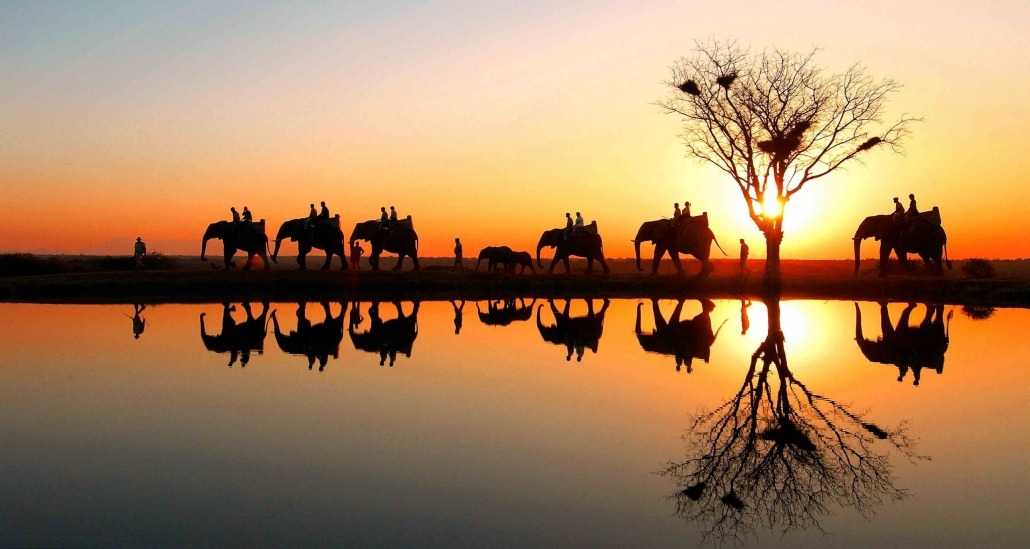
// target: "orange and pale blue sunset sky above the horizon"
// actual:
[[486, 121]]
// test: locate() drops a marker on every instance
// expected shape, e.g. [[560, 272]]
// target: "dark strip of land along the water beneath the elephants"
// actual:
[[435, 285]]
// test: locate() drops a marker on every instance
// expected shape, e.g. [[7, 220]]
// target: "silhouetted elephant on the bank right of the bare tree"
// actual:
[[924, 237]]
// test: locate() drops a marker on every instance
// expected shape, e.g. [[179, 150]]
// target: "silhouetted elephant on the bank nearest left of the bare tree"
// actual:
[[683, 235]]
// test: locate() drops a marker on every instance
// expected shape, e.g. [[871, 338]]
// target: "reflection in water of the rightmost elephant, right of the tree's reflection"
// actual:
[[908, 348]]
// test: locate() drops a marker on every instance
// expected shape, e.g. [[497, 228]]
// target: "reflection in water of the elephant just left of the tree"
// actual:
[[685, 340]]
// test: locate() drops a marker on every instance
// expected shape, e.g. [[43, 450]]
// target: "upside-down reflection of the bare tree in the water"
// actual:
[[779, 456]]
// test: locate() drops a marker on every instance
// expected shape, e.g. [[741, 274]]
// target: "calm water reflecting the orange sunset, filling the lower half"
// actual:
[[414, 426]]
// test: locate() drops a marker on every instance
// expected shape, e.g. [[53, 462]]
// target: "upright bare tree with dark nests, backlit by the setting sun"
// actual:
[[775, 121]]
